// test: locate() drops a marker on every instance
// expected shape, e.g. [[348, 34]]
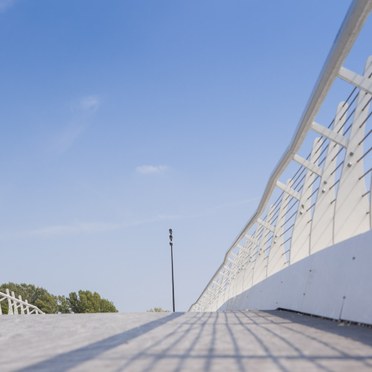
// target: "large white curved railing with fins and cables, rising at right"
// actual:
[[327, 197]]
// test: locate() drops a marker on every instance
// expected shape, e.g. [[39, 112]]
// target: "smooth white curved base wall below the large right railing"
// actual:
[[335, 282]]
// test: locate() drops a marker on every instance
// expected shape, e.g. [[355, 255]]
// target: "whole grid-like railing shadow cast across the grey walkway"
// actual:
[[239, 341]]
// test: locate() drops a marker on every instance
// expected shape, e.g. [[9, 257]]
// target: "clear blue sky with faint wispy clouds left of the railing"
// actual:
[[121, 119]]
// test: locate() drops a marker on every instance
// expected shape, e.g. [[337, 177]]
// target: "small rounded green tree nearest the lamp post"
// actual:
[[89, 302]]
